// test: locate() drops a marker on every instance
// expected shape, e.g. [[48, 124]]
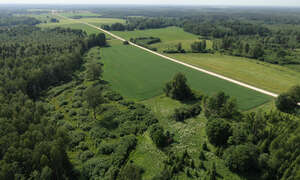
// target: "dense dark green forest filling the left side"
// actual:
[[32, 60]]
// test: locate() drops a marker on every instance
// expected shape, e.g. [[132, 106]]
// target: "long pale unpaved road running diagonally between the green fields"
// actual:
[[179, 62]]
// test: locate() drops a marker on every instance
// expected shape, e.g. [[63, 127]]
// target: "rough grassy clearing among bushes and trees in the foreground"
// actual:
[[189, 136]]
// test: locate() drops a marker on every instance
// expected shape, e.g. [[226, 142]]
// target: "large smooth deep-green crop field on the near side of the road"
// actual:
[[140, 75]]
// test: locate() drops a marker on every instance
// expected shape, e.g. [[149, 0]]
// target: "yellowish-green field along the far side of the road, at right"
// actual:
[[270, 77]]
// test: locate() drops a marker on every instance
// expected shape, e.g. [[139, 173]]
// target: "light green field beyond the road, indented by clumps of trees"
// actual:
[[169, 36]]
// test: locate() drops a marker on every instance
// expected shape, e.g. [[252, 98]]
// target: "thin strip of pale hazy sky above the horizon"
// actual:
[[163, 2]]
